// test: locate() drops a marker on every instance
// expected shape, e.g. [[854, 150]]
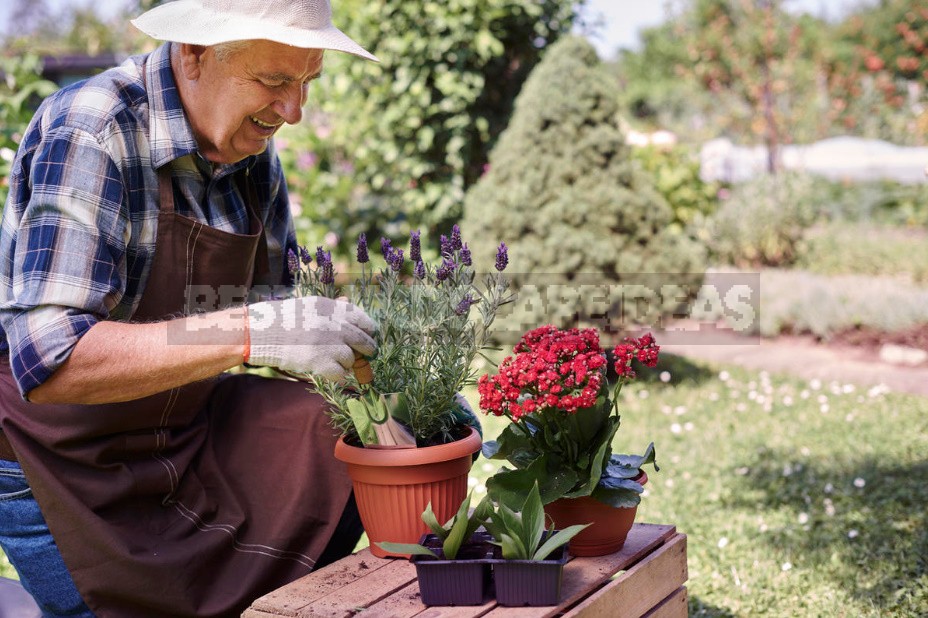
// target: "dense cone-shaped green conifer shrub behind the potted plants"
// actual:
[[565, 194]]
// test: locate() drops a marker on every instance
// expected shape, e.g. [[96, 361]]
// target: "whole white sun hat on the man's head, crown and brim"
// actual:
[[300, 23]]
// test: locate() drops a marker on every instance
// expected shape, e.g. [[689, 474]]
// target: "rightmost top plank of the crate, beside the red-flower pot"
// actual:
[[585, 575]]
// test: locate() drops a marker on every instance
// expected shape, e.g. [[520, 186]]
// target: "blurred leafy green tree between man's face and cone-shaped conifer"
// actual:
[[415, 129]]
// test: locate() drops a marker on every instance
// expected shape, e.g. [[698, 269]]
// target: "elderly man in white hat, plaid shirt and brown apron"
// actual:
[[136, 478]]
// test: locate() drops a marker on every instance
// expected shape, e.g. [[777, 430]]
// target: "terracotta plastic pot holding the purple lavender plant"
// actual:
[[393, 486]]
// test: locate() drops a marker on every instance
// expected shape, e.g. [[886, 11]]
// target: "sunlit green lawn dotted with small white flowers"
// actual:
[[798, 498]]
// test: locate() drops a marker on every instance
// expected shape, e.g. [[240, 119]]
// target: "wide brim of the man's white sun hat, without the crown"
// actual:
[[189, 22]]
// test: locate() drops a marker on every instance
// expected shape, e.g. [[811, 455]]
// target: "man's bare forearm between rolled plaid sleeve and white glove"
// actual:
[[116, 361]]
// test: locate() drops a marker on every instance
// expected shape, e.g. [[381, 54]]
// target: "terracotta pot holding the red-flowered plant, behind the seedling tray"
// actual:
[[609, 527]]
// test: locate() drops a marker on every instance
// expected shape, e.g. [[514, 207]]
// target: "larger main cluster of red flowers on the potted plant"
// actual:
[[552, 368]]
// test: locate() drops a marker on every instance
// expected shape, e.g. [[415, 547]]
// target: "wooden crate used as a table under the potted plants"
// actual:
[[646, 578]]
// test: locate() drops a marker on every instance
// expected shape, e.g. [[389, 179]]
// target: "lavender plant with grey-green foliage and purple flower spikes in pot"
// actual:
[[426, 343]]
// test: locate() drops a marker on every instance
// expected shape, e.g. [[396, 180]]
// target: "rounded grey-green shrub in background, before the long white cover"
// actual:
[[763, 221]]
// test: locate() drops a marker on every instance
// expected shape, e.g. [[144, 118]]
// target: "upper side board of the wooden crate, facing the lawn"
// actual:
[[639, 589]]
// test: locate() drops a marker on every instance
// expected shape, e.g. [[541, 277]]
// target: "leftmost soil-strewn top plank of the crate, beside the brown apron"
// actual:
[[288, 600]]
